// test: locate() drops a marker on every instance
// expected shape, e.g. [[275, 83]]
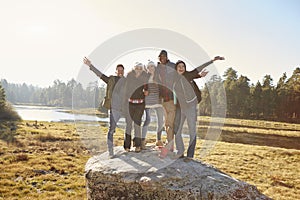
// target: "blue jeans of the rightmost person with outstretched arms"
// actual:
[[189, 113]]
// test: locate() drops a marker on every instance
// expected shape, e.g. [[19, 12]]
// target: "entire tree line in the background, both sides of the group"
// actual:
[[262, 100]]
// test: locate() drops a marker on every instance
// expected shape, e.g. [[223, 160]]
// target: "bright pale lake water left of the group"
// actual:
[[45, 113]]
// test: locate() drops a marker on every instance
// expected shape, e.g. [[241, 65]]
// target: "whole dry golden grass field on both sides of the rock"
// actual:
[[46, 160]]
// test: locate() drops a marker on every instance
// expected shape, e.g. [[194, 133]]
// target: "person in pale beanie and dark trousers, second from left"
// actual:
[[135, 91]]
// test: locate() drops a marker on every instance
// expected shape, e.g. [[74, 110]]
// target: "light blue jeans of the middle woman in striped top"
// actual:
[[159, 116]]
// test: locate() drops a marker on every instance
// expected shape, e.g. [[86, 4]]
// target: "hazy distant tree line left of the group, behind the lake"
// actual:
[[60, 94]]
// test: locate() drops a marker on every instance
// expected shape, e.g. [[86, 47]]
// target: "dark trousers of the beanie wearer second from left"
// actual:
[[136, 111]]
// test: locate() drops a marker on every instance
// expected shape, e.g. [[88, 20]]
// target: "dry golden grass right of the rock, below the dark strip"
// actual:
[[274, 171]]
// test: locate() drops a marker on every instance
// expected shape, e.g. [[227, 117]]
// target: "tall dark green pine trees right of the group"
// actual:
[[263, 100]]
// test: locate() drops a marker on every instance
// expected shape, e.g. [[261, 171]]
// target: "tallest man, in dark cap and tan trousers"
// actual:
[[165, 70]]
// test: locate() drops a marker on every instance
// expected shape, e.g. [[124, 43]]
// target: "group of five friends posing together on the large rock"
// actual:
[[165, 87]]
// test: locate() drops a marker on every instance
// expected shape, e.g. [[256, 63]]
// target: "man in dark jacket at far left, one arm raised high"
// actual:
[[114, 99]]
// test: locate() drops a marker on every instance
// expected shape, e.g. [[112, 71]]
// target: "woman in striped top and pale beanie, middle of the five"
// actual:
[[153, 102]]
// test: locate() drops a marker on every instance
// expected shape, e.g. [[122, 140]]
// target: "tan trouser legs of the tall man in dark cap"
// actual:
[[170, 110]]
